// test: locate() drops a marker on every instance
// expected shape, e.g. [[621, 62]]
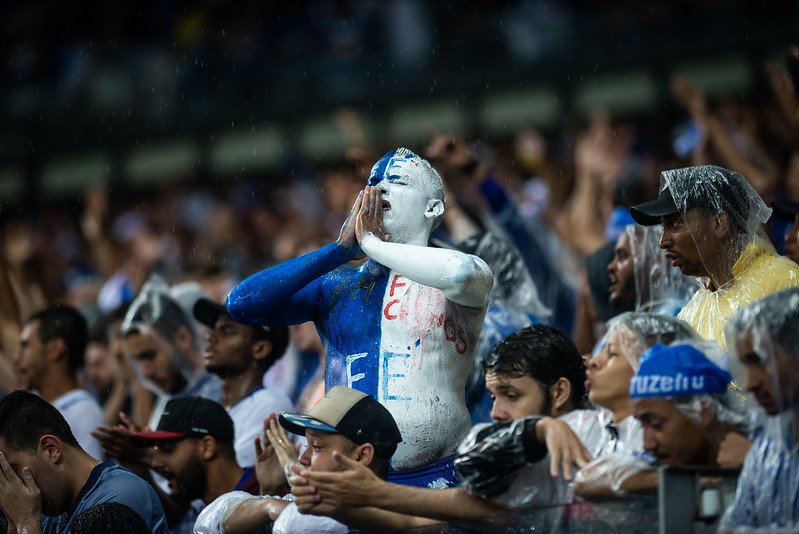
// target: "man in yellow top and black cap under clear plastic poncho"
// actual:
[[720, 240]]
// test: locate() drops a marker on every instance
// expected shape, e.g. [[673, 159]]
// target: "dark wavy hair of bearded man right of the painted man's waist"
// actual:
[[543, 353]]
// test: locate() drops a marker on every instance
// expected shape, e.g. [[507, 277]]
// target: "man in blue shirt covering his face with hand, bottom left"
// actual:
[[48, 479]]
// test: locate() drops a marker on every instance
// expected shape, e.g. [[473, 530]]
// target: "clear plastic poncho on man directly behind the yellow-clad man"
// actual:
[[659, 287]]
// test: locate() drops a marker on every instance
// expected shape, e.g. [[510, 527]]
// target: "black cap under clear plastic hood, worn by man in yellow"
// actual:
[[730, 194]]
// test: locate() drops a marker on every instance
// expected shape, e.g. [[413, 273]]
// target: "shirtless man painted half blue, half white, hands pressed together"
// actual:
[[402, 326]]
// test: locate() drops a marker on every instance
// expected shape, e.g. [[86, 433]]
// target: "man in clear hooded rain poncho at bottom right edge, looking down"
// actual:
[[764, 338]]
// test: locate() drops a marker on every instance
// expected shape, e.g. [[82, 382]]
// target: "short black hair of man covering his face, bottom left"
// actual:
[[26, 417]]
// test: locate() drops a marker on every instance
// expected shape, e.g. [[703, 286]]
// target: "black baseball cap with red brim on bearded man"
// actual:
[[188, 417]]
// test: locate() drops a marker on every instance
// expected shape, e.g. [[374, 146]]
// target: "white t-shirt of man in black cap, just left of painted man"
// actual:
[[248, 420]]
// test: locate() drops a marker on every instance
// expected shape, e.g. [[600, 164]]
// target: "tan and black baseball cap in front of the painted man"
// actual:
[[353, 414]]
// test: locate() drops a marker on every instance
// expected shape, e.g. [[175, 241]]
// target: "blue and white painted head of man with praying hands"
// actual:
[[413, 194]]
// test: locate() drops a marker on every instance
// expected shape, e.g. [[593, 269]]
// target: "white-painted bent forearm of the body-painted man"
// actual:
[[463, 278]]
